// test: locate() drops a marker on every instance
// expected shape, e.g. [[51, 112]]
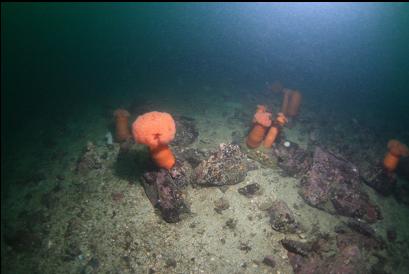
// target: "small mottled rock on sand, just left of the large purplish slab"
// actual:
[[281, 218]]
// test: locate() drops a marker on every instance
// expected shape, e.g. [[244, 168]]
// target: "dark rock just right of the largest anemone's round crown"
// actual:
[[186, 132]]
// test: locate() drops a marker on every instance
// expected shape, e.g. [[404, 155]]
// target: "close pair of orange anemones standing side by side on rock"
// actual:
[[261, 122]]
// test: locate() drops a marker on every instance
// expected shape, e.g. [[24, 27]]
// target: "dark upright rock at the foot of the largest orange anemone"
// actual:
[[164, 193]]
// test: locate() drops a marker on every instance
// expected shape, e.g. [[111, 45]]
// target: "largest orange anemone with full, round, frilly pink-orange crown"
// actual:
[[156, 130]]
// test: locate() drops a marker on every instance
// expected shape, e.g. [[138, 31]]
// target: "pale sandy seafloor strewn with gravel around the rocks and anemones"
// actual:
[[104, 223]]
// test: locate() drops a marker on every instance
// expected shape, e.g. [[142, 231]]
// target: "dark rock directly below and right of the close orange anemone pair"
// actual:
[[293, 160]]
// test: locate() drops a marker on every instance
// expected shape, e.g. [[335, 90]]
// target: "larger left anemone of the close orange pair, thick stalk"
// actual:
[[261, 120]]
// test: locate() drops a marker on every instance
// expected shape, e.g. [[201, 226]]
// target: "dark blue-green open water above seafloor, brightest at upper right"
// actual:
[[62, 59]]
